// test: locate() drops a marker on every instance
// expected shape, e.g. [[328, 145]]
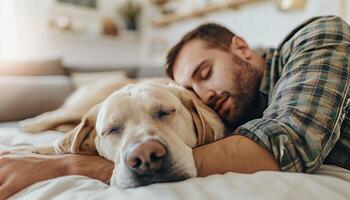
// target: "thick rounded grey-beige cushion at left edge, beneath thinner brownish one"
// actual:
[[28, 96]]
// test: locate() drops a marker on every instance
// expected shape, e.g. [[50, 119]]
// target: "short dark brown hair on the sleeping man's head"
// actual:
[[215, 35]]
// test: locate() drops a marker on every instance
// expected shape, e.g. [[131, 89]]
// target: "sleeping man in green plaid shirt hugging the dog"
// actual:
[[302, 88]]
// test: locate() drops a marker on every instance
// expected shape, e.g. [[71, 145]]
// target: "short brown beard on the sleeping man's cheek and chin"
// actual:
[[243, 92]]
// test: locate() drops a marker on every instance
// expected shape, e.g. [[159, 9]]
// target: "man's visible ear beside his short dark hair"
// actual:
[[240, 48]]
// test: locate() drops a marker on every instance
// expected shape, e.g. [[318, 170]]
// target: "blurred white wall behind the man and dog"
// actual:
[[26, 31]]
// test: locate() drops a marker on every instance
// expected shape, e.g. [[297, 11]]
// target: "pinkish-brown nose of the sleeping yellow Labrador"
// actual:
[[146, 158]]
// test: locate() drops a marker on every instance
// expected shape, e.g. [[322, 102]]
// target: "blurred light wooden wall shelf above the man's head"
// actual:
[[172, 18]]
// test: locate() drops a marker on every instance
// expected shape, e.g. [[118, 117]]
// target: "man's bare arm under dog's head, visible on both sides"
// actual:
[[235, 153]]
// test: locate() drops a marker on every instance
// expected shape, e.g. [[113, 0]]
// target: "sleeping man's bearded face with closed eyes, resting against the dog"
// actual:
[[220, 78]]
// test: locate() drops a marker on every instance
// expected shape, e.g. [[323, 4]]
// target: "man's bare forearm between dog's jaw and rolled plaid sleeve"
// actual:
[[236, 154]]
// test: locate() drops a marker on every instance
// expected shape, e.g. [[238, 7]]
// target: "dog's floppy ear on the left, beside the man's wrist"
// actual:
[[81, 139]]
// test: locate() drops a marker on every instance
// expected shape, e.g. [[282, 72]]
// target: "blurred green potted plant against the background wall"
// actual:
[[130, 12]]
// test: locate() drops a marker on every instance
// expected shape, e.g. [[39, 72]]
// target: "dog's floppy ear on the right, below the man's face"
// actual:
[[208, 125]]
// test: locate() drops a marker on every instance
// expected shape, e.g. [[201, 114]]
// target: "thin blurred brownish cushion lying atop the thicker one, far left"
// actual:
[[32, 68]]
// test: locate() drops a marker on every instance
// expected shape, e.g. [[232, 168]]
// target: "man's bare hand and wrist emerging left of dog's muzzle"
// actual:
[[18, 171]]
